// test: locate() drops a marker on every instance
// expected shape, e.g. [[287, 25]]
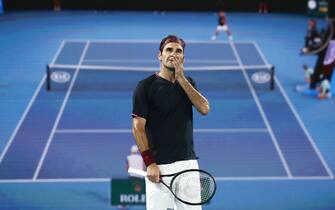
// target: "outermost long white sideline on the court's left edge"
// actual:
[[32, 100]]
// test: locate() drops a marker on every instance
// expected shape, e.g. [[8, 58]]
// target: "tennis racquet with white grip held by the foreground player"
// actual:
[[192, 187]]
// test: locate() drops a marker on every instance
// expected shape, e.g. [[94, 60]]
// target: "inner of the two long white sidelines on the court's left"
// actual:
[[40, 163]]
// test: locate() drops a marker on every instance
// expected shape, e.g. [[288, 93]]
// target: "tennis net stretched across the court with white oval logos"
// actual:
[[107, 78]]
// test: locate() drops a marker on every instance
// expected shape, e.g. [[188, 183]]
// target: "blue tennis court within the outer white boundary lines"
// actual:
[[82, 118]]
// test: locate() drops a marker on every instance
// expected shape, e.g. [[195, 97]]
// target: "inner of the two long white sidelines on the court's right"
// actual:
[[265, 119]]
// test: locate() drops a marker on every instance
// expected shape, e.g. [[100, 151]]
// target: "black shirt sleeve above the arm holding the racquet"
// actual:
[[140, 102]]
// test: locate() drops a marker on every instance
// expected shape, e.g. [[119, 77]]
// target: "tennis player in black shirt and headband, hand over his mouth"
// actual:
[[163, 123]]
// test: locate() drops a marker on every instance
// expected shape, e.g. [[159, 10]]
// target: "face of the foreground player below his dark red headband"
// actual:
[[171, 52]]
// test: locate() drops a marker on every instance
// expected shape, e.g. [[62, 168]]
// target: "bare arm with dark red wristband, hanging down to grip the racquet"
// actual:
[[143, 145]]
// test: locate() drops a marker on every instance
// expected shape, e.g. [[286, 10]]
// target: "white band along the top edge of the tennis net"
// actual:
[[154, 69]]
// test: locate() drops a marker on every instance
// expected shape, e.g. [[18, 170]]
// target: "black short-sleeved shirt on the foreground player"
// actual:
[[169, 118]]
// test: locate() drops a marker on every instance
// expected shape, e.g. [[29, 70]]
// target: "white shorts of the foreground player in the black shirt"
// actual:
[[158, 197]]
